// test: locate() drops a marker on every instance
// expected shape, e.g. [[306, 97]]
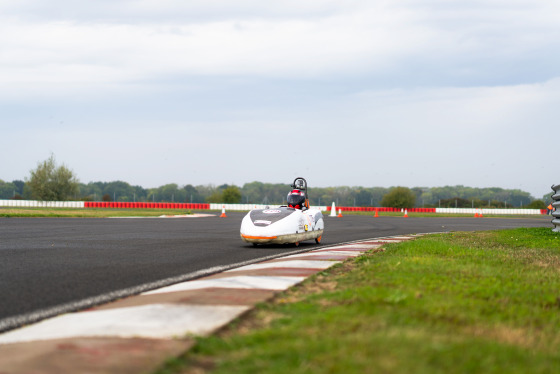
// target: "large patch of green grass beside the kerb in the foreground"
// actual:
[[486, 302]]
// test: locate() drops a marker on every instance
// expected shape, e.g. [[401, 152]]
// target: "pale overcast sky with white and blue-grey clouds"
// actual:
[[358, 93]]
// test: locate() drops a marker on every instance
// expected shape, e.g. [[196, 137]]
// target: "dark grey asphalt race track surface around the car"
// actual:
[[54, 265]]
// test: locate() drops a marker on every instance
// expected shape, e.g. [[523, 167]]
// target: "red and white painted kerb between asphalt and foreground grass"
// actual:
[[137, 334]]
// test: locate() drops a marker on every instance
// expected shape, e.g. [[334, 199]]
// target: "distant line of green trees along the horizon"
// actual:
[[52, 182]]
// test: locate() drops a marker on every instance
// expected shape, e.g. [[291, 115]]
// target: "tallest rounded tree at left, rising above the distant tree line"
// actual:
[[51, 182]]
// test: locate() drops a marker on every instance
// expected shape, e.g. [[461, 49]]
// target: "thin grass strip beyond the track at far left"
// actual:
[[88, 213]]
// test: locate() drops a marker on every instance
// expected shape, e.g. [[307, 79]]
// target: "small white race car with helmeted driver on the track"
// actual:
[[293, 223]]
